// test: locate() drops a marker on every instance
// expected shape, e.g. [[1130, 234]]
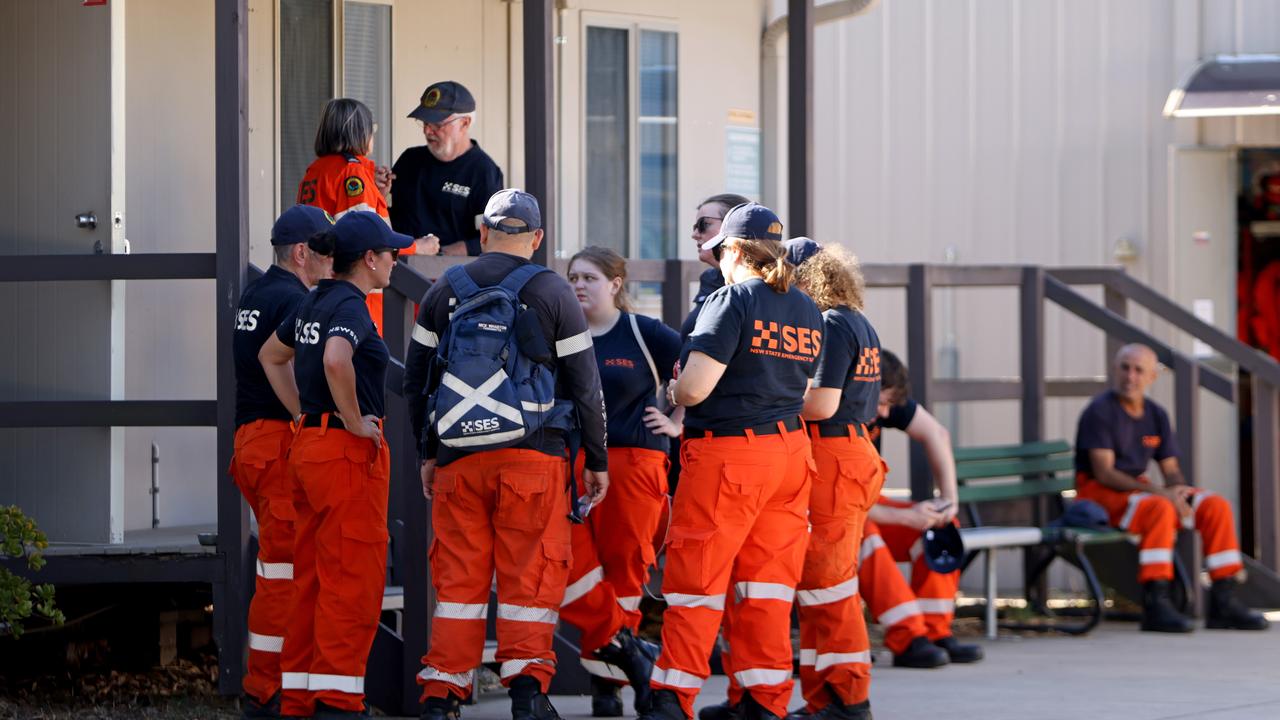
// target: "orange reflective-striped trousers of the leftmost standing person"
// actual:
[[259, 468]]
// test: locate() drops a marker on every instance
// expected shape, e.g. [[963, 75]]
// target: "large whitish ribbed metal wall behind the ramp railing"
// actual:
[[1008, 131]]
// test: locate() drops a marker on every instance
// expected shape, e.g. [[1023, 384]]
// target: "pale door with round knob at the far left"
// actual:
[[60, 138]]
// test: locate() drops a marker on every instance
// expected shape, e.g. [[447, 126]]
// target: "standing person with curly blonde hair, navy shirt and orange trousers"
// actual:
[[835, 653]]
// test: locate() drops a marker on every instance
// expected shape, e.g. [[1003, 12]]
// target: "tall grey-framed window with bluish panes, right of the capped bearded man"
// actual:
[[632, 142]]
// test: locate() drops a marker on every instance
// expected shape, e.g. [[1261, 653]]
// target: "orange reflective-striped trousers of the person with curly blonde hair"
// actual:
[[835, 651]]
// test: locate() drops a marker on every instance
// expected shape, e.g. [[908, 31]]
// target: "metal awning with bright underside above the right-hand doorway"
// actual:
[[1228, 86]]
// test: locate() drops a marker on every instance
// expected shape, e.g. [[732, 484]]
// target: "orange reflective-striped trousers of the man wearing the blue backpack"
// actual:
[[501, 512]]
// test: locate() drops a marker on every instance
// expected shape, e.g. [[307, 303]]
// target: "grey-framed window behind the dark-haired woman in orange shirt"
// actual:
[[308, 78]]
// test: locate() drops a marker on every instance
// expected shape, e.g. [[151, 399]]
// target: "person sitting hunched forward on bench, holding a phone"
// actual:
[[917, 617]]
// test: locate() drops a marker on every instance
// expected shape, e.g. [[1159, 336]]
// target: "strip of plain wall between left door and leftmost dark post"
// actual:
[[170, 174]]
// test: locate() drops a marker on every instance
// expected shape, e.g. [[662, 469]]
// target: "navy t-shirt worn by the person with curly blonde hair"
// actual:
[[851, 362]]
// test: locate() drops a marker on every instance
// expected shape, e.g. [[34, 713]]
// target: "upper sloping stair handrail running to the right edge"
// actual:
[[1252, 361]]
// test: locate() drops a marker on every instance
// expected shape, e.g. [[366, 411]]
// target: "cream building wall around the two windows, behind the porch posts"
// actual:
[[171, 167]]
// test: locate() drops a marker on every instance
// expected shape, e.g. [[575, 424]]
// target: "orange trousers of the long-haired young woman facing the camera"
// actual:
[[614, 552]]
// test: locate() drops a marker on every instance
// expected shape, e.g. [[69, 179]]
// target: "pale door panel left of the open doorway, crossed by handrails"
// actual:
[[1204, 254]]
